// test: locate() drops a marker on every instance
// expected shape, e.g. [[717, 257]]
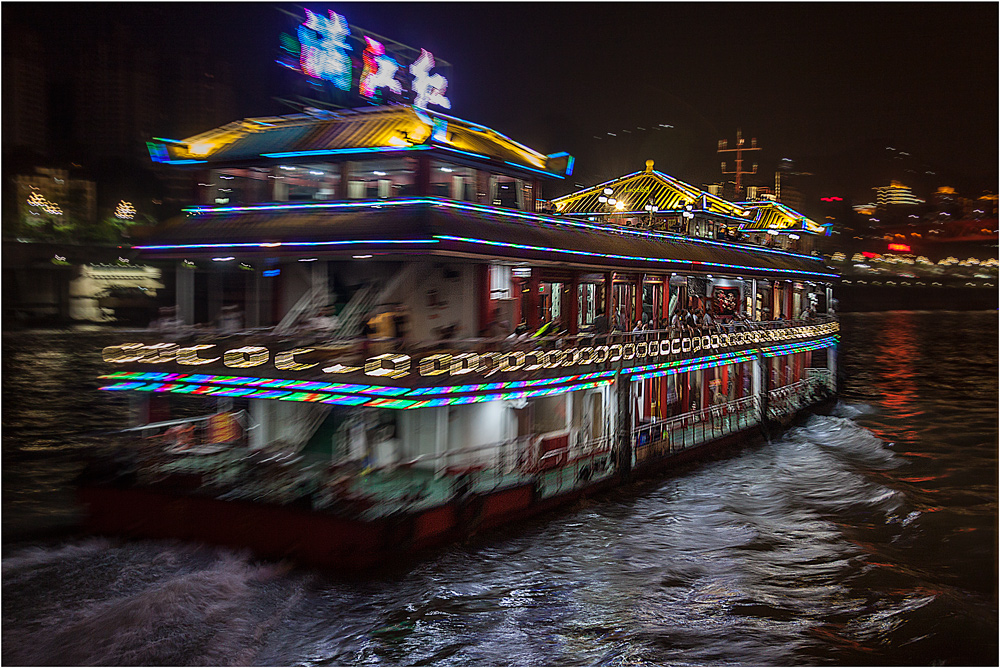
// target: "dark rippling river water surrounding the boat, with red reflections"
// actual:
[[865, 537]]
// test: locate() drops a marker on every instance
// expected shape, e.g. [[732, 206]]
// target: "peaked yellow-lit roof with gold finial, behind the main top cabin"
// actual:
[[640, 189]]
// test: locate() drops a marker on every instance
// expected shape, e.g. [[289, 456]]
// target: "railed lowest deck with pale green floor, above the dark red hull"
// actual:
[[363, 490]]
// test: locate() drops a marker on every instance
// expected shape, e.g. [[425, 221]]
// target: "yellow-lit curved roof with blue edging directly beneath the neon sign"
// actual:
[[348, 132]]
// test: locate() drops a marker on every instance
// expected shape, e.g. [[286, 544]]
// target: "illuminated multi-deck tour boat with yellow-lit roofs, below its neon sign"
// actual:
[[384, 339]]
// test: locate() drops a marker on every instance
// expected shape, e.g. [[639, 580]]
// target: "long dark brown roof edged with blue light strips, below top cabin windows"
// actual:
[[429, 226]]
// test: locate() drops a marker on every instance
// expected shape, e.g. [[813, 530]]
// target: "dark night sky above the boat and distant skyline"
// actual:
[[827, 85]]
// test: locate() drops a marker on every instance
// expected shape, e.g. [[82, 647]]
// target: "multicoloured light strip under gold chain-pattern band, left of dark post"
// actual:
[[345, 400]]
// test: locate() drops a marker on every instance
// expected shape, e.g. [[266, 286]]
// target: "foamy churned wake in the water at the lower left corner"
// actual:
[[147, 604]]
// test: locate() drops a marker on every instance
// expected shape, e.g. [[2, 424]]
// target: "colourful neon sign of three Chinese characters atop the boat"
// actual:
[[321, 51]]
